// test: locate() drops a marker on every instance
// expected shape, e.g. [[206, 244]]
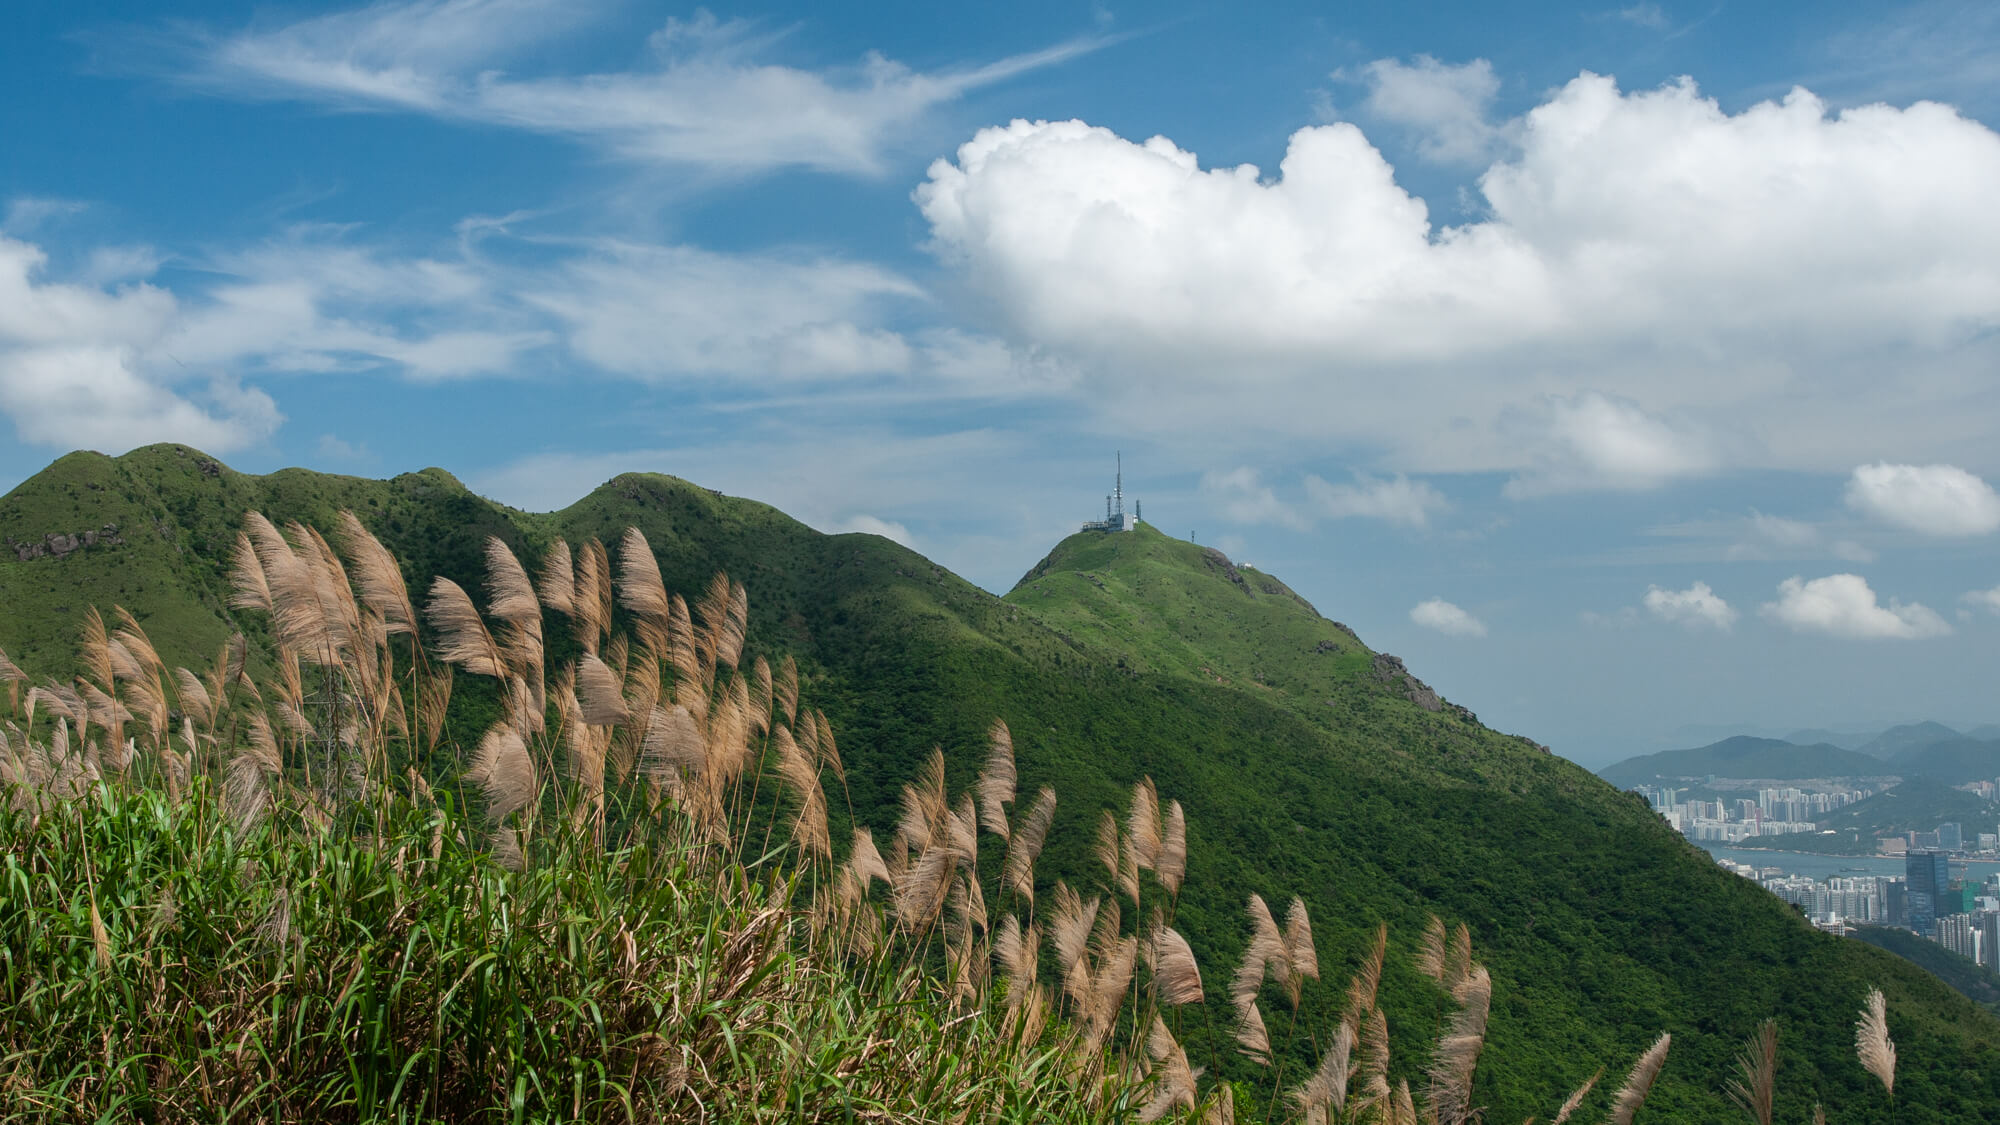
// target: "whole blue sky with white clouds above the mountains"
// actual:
[[1623, 369]]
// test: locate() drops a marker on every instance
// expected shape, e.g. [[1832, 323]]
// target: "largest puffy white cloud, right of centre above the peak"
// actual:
[[1695, 289]]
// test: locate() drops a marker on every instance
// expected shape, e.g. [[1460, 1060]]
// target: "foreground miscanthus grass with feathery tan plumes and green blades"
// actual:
[[243, 898]]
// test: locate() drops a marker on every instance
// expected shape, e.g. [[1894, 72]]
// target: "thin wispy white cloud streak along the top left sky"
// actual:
[[705, 101]]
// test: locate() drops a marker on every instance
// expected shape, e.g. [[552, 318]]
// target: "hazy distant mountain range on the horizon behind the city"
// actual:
[[1915, 750]]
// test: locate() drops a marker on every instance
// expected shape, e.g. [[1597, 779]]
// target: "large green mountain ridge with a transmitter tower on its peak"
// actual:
[[1309, 766]]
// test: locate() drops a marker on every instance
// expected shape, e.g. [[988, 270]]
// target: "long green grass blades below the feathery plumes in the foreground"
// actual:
[[293, 974]]
